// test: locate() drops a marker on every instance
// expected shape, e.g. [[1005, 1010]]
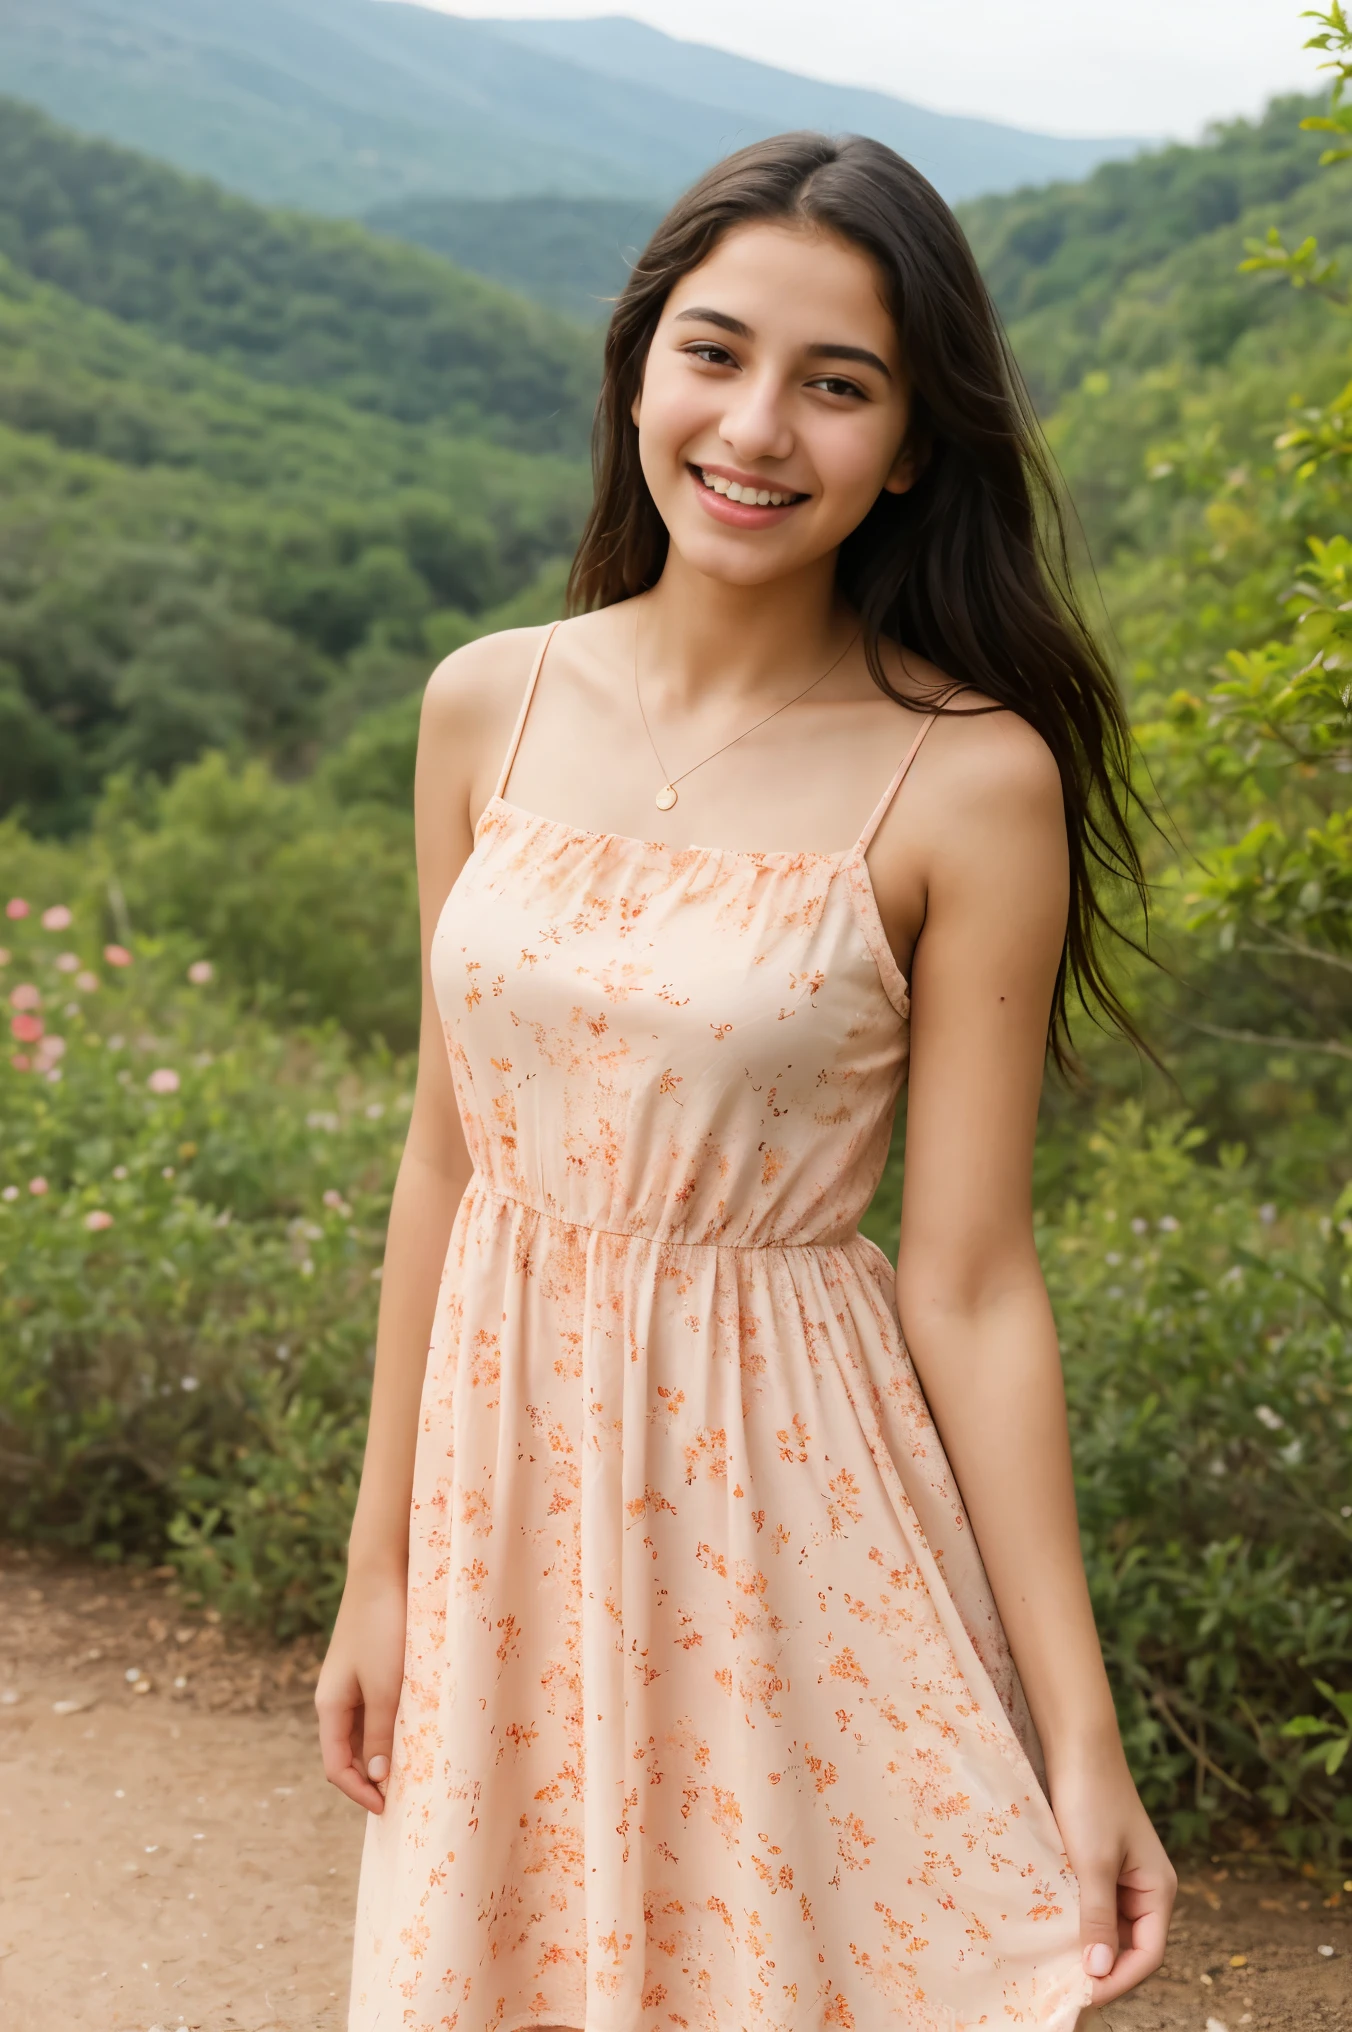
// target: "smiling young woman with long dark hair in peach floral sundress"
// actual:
[[713, 1657]]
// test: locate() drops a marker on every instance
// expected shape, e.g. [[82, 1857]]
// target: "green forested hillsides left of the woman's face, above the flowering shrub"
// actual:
[[255, 472]]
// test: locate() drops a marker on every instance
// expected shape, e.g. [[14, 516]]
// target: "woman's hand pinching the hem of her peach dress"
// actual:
[[1127, 1883]]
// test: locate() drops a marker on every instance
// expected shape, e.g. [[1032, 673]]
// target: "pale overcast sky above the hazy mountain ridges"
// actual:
[[1062, 66]]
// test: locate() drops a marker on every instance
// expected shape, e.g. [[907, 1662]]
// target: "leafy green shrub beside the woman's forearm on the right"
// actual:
[[1209, 1362]]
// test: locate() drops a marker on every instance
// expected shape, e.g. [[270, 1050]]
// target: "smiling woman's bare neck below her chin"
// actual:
[[704, 635]]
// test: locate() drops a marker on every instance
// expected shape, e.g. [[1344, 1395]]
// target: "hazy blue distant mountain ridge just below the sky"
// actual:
[[349, 105]]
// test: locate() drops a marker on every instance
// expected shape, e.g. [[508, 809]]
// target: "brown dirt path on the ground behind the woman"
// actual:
[[174, 1858]]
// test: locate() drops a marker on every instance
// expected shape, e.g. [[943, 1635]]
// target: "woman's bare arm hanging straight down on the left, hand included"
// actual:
[[467, 722]]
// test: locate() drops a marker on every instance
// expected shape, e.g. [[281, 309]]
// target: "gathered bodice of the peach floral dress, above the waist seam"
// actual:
[[688, 1043]]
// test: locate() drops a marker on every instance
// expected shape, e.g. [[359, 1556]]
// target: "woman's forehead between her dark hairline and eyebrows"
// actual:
[[794, 283]]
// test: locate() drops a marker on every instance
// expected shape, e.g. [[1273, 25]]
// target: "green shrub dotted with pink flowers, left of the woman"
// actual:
[[192, 1216]]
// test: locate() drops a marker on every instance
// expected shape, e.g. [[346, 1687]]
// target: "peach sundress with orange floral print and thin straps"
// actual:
[[709, 1720]]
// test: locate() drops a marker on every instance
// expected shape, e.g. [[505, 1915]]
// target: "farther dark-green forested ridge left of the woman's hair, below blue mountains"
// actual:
[[288, 298]]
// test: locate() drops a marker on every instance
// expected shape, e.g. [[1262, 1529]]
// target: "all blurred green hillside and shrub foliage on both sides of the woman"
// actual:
[[237, 527]]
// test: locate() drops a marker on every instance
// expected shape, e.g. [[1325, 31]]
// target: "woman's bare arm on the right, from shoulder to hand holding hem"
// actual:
[[973, 1299]]
